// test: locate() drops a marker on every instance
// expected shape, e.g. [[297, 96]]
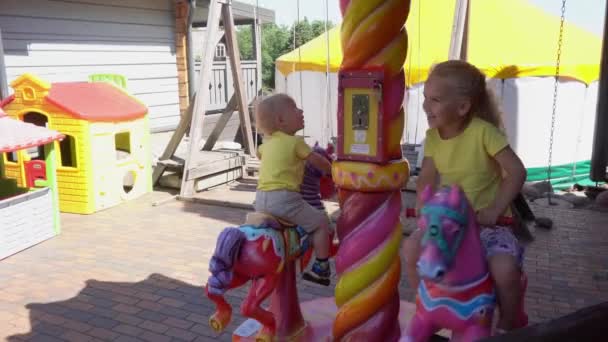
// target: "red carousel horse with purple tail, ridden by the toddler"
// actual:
[[265, 250]]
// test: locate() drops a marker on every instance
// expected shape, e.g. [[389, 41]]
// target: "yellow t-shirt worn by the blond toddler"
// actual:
[[283, 158]]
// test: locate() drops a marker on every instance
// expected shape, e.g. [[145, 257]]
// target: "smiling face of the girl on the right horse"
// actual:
[[442, 105]]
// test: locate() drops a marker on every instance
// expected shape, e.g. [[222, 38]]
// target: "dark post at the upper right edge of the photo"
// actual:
[[599, 155]]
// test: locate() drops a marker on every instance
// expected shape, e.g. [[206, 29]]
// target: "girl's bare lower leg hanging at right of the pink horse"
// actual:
[[507, 275]]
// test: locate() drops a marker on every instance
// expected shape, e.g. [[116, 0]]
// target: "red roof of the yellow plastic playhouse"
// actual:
[[95, 101]]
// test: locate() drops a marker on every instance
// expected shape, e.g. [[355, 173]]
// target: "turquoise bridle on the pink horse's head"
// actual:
[[434, 232]]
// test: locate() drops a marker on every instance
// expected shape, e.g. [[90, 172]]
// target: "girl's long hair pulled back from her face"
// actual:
[[471, 83]]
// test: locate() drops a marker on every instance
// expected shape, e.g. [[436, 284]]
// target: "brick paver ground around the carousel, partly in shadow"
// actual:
[[134, 273]]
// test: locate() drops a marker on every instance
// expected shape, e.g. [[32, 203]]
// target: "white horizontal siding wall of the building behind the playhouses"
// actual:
[[69, 40]]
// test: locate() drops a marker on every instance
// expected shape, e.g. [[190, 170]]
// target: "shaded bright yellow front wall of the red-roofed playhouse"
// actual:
[[75, 192]]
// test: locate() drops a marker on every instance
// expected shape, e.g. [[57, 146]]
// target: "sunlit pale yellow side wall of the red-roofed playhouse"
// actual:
[[108, 170]]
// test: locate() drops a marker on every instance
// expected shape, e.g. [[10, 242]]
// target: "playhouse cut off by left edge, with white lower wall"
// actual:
[[29, 212]]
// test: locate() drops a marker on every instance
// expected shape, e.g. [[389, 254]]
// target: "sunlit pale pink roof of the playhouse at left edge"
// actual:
[[18, 135]]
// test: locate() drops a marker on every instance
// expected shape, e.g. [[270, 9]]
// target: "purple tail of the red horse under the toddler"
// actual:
[[222, 262]]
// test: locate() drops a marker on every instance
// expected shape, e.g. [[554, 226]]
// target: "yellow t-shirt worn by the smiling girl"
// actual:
[[467, 160]]
